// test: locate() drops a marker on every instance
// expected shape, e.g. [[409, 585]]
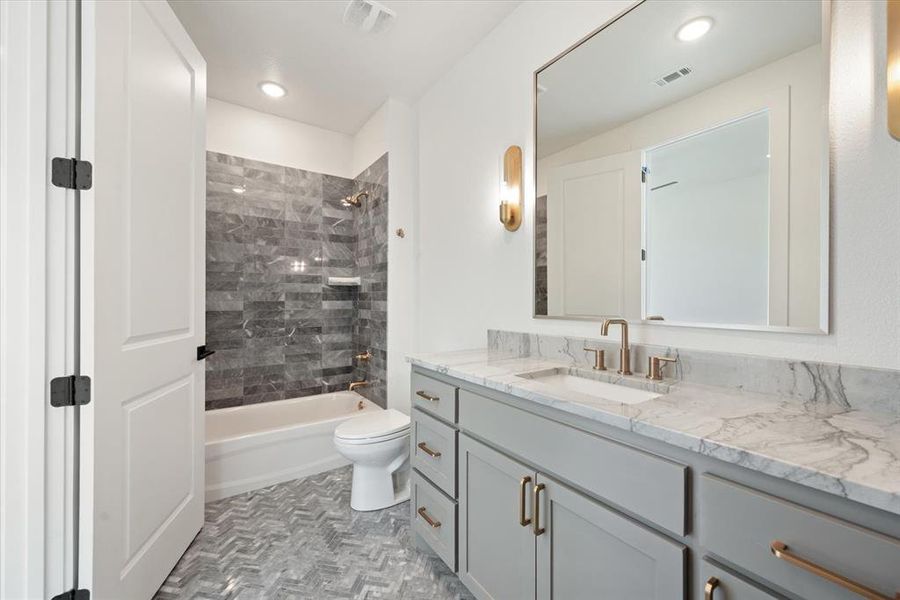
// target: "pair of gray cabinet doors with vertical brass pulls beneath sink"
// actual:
[[513, 521]]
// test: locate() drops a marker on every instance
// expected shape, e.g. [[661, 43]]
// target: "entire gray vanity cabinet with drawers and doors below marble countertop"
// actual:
[[542, 508]]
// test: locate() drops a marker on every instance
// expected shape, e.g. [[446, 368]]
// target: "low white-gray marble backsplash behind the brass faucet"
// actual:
[[819, 386]]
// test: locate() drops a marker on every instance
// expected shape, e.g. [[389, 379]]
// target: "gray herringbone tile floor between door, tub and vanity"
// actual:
[[301, 540]]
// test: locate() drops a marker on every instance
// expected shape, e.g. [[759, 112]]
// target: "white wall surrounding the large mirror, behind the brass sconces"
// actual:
[[474, 275]]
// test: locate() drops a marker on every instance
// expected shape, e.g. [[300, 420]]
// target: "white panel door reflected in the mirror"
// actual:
[[593, 237]]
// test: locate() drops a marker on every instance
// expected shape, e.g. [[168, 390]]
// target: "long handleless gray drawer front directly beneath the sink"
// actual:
[[642, 483]]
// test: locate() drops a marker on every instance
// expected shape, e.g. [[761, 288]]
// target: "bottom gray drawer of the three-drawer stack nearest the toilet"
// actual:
[[428, 503]]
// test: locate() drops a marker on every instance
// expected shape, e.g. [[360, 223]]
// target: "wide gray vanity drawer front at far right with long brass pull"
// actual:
[[740, 525]]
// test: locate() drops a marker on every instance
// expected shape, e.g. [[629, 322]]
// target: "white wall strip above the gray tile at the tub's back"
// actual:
[[239, 131]]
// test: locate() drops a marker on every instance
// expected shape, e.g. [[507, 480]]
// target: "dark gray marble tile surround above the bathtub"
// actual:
[[273, 236]]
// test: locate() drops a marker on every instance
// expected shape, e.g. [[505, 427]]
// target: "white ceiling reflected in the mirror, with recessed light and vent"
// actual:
[[609, 80]]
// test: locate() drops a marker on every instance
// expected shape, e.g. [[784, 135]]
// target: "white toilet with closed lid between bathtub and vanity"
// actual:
[[377, 444]]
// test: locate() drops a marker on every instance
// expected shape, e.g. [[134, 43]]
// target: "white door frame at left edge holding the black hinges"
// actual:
[[38, 120]]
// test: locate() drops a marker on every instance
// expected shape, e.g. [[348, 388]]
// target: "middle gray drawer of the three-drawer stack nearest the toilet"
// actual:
[[434, 451]]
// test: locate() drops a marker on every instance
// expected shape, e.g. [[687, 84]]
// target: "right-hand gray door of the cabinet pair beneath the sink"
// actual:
[[588, 551]]
